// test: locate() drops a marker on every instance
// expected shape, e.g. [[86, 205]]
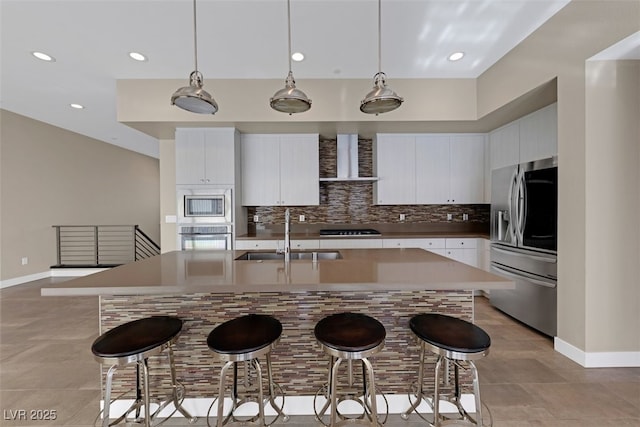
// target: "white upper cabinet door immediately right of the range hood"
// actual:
[[395, 169]]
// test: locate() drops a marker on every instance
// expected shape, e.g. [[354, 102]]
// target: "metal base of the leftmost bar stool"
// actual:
[[142, 405]]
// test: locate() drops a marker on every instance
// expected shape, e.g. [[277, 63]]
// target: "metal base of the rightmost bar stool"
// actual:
[[462, 418]]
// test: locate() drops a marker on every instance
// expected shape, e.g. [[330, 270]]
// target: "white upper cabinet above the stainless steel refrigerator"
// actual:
[[532, 137]]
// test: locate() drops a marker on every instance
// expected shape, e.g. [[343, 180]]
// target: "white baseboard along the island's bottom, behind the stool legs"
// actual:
[[297, 405]]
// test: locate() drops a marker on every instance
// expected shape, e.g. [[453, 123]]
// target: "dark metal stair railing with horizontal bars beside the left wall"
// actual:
[[102, 245]]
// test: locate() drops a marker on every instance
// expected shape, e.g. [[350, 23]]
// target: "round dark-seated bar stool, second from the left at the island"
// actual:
[[245, 339]]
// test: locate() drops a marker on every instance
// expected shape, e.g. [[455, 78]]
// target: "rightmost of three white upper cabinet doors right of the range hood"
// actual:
[[466, 169]]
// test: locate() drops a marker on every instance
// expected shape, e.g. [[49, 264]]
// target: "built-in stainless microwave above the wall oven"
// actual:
[[204, 206]]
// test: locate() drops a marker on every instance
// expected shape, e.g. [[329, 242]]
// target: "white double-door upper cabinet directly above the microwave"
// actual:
[[206, 156]]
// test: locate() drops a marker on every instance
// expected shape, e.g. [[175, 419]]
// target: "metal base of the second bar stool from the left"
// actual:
[[274, 391]]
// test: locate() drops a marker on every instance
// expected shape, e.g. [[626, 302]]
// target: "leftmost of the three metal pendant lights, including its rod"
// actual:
[[194, 98]]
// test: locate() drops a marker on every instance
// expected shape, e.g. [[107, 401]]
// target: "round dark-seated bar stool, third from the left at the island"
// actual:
[[350, 336]]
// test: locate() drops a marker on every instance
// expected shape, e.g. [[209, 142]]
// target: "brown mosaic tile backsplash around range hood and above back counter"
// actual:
[[351, 202]]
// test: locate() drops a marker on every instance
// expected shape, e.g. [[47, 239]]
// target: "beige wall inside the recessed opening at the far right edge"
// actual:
[[612, 287]]
